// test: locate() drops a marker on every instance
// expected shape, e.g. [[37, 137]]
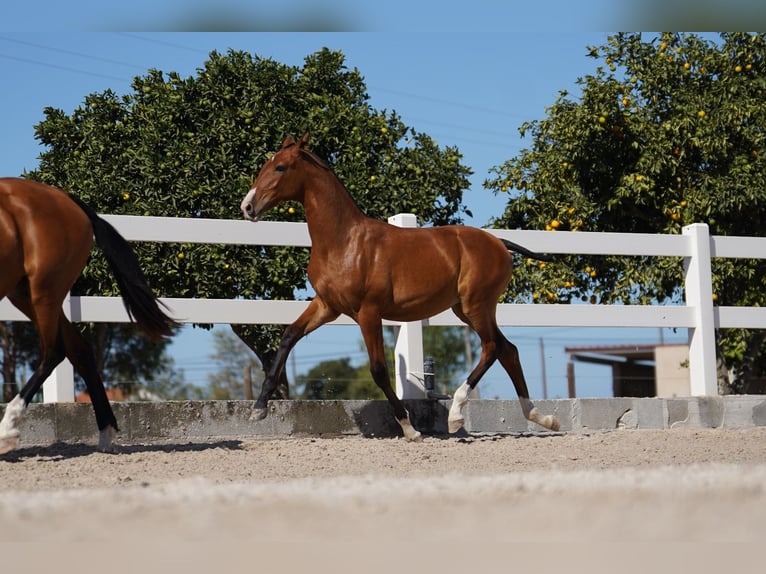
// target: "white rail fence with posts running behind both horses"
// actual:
[[698, 314]]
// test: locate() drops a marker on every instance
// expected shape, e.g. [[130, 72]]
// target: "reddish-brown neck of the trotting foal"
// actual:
[[331, 214]]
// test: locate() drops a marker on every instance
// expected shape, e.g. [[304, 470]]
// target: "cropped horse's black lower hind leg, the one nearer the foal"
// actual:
[[80, 354]]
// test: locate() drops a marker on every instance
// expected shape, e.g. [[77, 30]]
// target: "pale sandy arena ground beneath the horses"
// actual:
[[689, 500]]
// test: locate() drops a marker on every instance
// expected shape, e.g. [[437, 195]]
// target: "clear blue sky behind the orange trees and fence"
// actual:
[[466, 89]]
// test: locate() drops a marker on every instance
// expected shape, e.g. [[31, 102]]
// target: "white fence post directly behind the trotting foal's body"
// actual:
[[408, 352]]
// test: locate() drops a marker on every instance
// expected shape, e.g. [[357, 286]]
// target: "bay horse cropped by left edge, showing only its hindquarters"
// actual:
[[45, 239]]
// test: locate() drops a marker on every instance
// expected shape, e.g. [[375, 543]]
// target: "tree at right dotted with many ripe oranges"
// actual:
[[669, 130]]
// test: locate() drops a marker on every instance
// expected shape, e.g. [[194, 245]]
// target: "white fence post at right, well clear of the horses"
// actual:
[[699, 296]]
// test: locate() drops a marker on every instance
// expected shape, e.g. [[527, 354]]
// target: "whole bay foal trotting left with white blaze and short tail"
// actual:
[[365, 268]]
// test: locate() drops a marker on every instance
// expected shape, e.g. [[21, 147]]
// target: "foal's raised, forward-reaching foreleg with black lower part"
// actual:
[[316, 315]]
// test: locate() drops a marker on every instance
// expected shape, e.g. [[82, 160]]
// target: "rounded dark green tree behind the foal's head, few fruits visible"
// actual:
[[191, 146]]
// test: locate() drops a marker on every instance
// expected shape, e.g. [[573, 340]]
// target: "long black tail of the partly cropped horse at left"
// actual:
[[139, 300]]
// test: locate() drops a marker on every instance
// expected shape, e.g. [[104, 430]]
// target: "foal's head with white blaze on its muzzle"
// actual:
[[279, 179]]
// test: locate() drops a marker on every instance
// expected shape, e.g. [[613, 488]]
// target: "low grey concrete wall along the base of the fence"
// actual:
[[142, 422]]
